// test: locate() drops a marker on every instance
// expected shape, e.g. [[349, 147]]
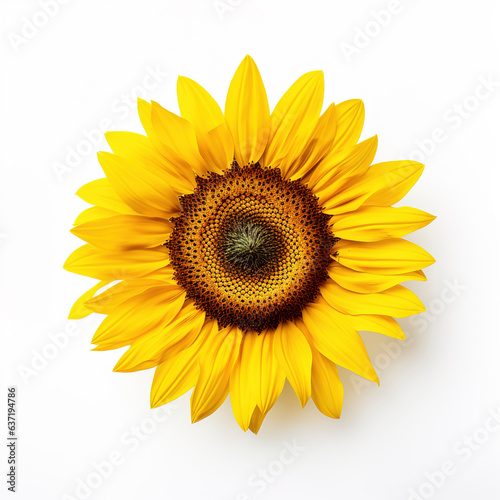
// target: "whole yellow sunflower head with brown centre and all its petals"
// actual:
[[243, 248]]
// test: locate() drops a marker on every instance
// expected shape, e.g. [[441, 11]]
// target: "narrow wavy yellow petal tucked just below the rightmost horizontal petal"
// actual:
[[397, 301]]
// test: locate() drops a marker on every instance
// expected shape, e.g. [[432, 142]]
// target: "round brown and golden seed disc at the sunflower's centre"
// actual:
[[250, 248]]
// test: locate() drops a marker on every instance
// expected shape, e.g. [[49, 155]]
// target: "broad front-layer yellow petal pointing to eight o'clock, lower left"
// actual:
[[138, 315]]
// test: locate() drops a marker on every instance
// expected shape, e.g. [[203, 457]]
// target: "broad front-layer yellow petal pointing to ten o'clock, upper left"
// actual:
[[143, 190]]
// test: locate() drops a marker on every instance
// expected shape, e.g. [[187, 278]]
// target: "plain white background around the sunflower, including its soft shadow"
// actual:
[[420, 72]]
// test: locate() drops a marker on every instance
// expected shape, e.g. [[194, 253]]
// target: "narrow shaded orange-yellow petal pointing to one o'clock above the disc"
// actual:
[[299, 162]]
